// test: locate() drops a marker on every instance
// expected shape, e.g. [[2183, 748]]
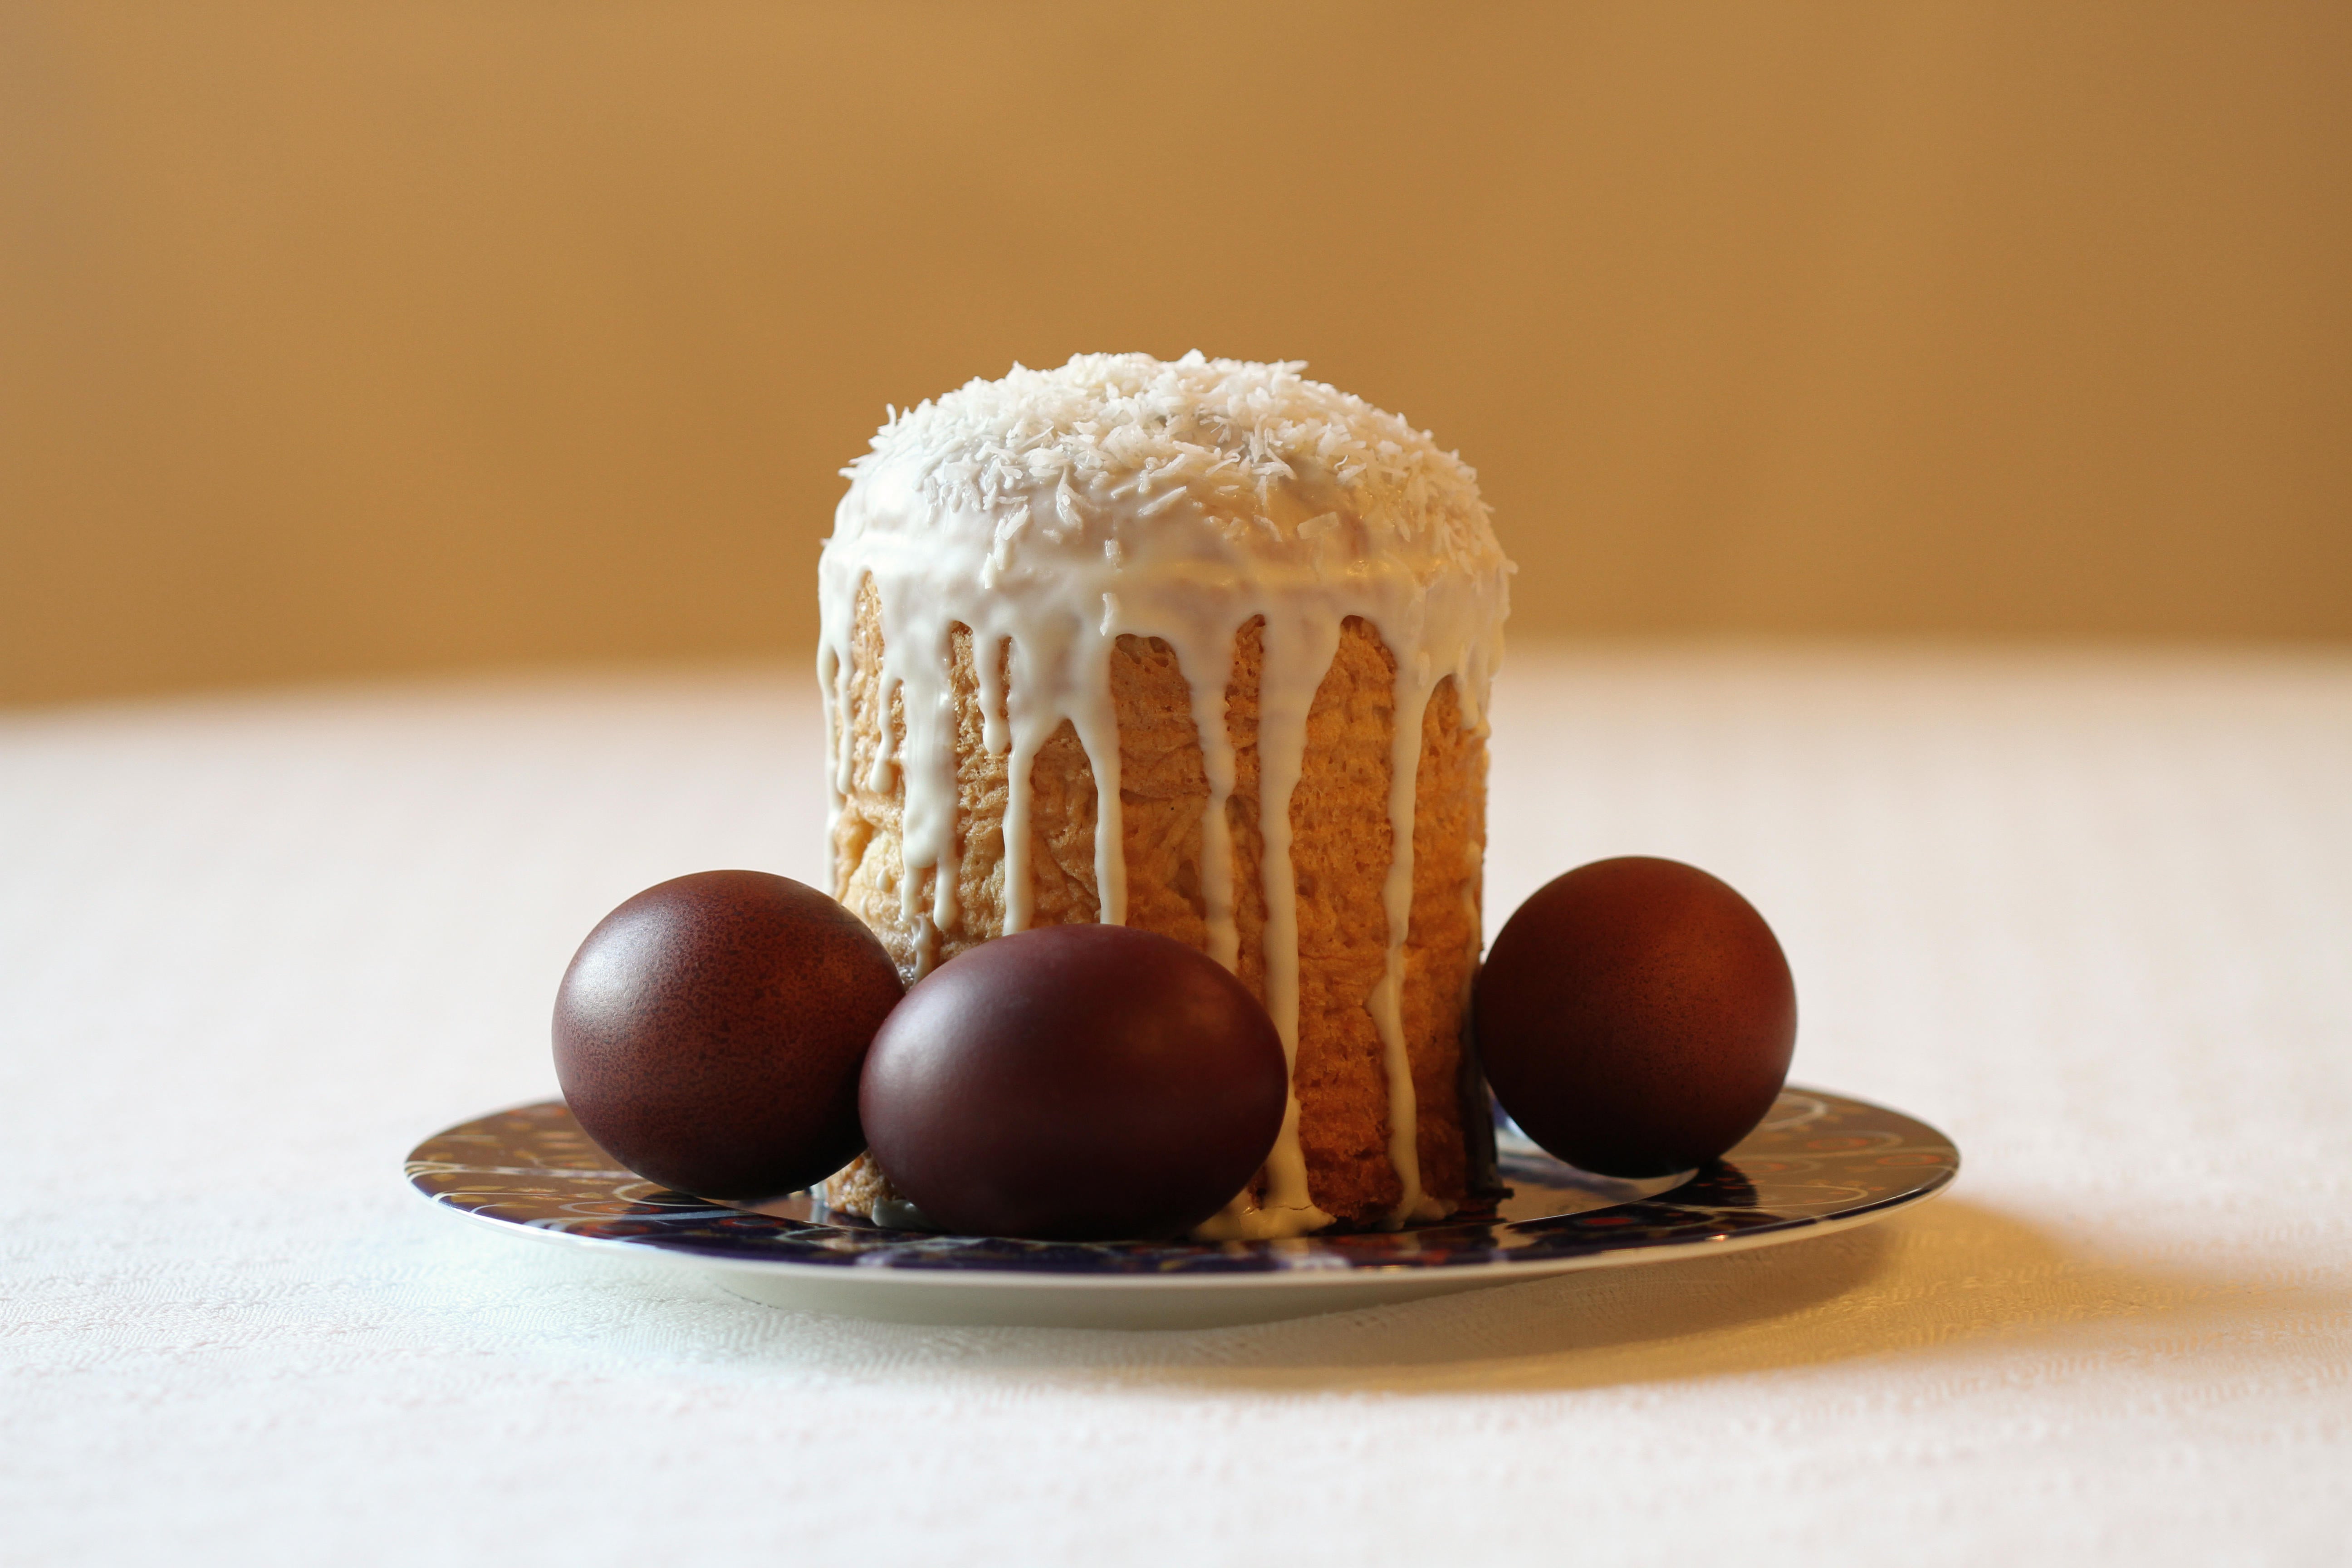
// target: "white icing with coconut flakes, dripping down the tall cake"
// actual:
[[1118, 495]]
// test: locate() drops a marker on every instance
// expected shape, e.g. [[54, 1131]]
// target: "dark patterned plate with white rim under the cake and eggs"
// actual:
[[1819, 1162]]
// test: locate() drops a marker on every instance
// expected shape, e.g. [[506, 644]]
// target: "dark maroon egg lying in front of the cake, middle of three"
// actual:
[[1076, 1085]]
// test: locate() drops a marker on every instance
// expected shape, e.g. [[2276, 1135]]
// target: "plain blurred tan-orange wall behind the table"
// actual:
[[375, 337]]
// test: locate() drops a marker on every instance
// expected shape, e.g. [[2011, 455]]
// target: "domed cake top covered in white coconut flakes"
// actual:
[[1111, 445]]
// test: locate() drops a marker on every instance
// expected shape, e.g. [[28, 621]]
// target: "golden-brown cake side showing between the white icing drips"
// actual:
[[1339, 855]]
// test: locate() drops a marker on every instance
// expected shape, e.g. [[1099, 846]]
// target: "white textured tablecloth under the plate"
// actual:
[[2087, 913]]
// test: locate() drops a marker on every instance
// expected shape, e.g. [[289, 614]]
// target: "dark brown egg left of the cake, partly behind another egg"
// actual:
[[709, 1033]]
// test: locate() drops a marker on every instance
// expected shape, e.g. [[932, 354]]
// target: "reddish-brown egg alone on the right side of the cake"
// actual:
[[1636, 1017]]
